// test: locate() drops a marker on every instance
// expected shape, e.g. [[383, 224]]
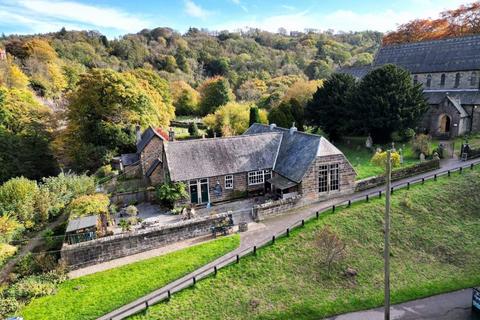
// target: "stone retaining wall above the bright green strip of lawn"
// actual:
[[104, 249]]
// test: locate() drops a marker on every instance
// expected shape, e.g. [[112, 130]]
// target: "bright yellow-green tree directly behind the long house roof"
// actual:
[[232, 119]]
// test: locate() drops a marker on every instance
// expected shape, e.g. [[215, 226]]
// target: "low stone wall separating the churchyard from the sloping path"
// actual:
[[398, 174]]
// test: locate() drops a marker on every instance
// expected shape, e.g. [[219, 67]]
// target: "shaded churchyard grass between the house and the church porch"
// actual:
[[360, 157]]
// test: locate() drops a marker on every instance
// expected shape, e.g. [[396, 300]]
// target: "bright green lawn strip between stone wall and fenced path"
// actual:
[[94, 295]]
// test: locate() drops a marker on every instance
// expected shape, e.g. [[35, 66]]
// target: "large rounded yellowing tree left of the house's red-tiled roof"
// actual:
[[104, 109]]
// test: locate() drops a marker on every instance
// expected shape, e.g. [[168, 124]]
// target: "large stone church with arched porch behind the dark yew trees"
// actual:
[[449, 71]]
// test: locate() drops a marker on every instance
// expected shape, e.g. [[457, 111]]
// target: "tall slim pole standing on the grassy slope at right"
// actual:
[[386, 251]]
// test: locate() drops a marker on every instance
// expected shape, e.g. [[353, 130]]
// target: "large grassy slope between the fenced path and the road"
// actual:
[[435, 248]]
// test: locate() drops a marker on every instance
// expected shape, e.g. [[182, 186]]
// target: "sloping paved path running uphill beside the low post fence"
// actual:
[[272, 227]]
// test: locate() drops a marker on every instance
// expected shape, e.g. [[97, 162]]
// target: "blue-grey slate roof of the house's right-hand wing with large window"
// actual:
[[297, 150]]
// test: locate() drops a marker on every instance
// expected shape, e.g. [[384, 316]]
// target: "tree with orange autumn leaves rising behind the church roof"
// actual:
[[462, 21]]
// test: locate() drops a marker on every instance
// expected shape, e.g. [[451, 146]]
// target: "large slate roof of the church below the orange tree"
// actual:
[[446, 55]]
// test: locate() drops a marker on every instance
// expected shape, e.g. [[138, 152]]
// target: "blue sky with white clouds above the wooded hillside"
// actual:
[[114, 18]]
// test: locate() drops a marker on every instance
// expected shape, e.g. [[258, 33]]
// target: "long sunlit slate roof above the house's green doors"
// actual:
[[200, 158]]
